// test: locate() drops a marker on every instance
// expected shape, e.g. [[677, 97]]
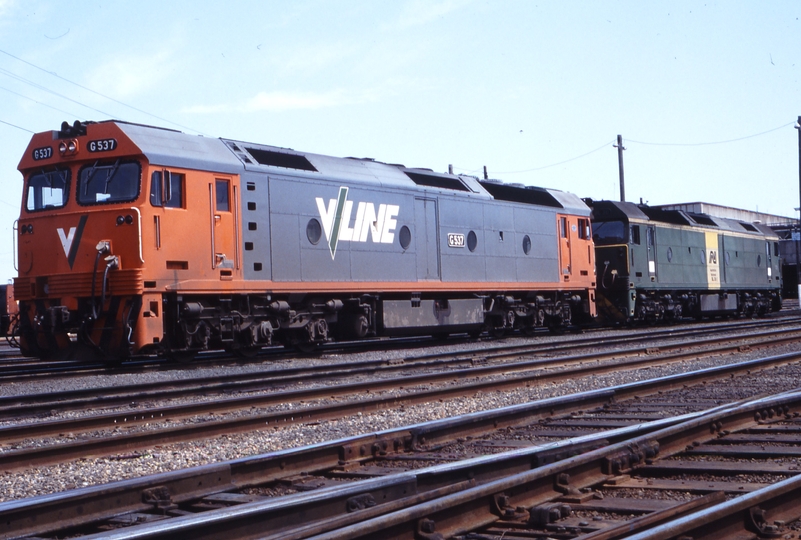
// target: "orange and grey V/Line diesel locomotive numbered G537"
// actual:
[[141, 240]]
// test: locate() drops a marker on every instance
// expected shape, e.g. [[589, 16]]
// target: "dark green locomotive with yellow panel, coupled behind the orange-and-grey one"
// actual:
[[654, 264]]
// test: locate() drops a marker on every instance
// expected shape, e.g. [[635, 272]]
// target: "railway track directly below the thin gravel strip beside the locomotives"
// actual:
[[514, 357]]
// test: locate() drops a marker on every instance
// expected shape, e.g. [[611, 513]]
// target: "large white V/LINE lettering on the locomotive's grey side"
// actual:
[[338, 226]]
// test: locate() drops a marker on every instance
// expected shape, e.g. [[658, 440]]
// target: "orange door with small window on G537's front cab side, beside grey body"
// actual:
[[224, 216]]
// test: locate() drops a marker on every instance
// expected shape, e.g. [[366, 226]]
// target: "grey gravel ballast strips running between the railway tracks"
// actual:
[[81, 473]]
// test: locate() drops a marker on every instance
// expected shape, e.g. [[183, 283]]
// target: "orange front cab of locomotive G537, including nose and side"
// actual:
[[95, 208]]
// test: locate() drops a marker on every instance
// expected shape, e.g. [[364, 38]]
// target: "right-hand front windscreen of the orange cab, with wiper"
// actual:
[[109, 182]]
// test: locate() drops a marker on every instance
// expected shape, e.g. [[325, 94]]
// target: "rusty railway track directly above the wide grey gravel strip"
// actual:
[[110, 432]]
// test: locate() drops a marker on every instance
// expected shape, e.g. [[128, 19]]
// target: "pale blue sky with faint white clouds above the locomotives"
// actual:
[[522, 87]]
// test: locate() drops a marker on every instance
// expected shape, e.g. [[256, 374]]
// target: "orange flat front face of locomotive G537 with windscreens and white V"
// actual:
[[79, 238]]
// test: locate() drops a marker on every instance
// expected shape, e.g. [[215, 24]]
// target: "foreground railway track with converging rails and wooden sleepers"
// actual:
[[561, 451]]
